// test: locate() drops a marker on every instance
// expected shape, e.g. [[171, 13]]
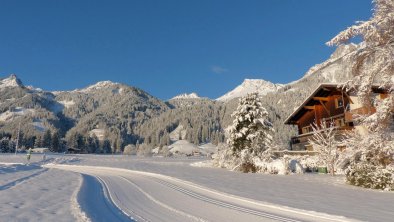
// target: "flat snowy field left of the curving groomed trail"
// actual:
[[33, 193]]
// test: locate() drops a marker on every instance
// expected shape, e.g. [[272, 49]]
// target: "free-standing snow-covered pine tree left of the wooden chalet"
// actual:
[[250, 135]]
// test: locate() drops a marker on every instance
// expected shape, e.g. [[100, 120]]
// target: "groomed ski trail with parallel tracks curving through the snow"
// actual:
[[146, 196]]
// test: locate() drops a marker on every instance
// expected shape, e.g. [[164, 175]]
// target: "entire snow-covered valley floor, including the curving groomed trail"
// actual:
[[176, 191]]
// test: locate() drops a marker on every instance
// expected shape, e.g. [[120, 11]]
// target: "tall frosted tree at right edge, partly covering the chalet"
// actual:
[[374, 64]]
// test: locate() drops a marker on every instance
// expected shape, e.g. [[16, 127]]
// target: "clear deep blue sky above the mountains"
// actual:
[[169, 47]]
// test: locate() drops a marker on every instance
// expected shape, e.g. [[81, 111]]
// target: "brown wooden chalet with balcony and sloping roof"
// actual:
[[328, 103]]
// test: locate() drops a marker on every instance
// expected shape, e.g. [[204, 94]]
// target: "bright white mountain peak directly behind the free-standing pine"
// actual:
[[249, 86]]
